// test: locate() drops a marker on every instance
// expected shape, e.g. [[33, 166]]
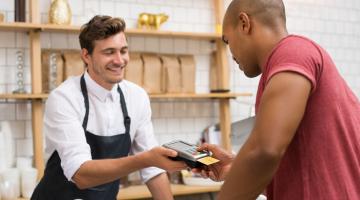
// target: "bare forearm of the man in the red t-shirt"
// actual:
[[251, 172]]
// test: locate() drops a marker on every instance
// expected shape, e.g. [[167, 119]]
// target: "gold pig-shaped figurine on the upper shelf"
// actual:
[[151, 21]]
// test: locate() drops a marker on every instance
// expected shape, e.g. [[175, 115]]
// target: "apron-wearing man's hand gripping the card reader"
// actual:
[[159, 157]]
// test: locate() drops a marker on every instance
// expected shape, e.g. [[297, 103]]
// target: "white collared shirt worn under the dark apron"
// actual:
[[65, 111]]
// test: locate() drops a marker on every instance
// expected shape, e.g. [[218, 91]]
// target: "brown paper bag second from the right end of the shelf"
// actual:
[[172, 74]]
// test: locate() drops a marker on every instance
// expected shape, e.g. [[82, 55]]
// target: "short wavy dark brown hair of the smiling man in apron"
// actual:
[[98, 28]]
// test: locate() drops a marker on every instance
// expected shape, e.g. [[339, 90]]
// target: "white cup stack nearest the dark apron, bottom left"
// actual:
[[28, 181]]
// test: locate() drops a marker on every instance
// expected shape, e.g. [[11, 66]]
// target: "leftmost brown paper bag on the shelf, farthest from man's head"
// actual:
[[52, 69]]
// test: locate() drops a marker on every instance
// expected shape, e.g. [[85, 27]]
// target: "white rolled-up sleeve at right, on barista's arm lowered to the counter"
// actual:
[[144, 139]]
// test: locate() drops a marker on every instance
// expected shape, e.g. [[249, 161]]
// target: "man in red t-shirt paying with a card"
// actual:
[[305, 143]]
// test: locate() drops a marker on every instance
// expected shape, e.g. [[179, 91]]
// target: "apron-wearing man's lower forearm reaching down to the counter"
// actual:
[[159, 187]]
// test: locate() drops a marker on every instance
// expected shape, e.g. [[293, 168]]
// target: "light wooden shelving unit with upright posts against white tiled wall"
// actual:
[[34, 28]]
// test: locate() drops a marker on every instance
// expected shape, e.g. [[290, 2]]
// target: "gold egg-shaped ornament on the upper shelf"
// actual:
[[60, 12]]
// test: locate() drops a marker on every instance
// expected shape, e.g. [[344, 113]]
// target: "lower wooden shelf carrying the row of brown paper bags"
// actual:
[[152, 96]]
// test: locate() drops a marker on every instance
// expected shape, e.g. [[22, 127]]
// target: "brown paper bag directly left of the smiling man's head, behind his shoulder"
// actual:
[[74, 66]]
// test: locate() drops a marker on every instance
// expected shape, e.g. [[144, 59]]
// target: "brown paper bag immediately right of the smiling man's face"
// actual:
[[134, 69]]
